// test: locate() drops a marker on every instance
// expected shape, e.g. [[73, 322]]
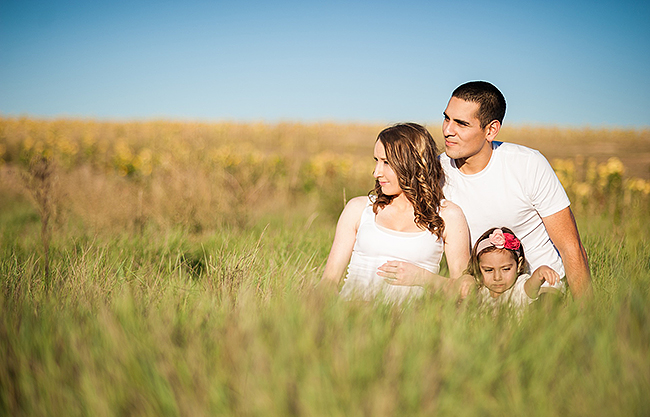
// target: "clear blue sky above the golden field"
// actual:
[[582, 63]]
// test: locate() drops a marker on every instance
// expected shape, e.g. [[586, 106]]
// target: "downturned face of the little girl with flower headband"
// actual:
[[499, 270]]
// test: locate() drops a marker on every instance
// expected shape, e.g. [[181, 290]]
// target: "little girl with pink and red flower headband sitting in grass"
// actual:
[[498, 265]]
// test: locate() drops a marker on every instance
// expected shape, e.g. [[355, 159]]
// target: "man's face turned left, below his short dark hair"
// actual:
[[462, 130]]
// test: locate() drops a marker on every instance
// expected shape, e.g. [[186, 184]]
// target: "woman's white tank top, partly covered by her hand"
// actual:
[[376, 245]]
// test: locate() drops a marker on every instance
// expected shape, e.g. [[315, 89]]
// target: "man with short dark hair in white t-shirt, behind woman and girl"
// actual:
[[503, 184]]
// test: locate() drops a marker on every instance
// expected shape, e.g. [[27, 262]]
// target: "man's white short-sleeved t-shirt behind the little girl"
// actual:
[[516, 189]]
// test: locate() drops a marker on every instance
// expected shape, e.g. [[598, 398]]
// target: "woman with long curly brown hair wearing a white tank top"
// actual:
[[404, 222]]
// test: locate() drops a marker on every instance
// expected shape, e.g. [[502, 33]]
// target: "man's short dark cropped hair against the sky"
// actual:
[[492, 104]]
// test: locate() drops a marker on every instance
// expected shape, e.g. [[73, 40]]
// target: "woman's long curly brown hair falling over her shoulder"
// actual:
[[411, 152]]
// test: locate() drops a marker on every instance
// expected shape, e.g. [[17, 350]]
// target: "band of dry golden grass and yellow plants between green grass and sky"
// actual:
[[201, 176]]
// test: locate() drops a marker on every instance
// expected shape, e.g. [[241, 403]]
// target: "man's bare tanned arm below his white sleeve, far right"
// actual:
[[563, 231]]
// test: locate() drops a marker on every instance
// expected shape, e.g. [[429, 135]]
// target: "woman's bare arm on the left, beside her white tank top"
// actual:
[[346, 235]]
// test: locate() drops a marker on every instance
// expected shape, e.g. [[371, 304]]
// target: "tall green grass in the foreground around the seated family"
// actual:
[[233, 323]]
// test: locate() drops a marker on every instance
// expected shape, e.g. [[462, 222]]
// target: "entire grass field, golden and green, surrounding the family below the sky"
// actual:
[[163, 269]]
